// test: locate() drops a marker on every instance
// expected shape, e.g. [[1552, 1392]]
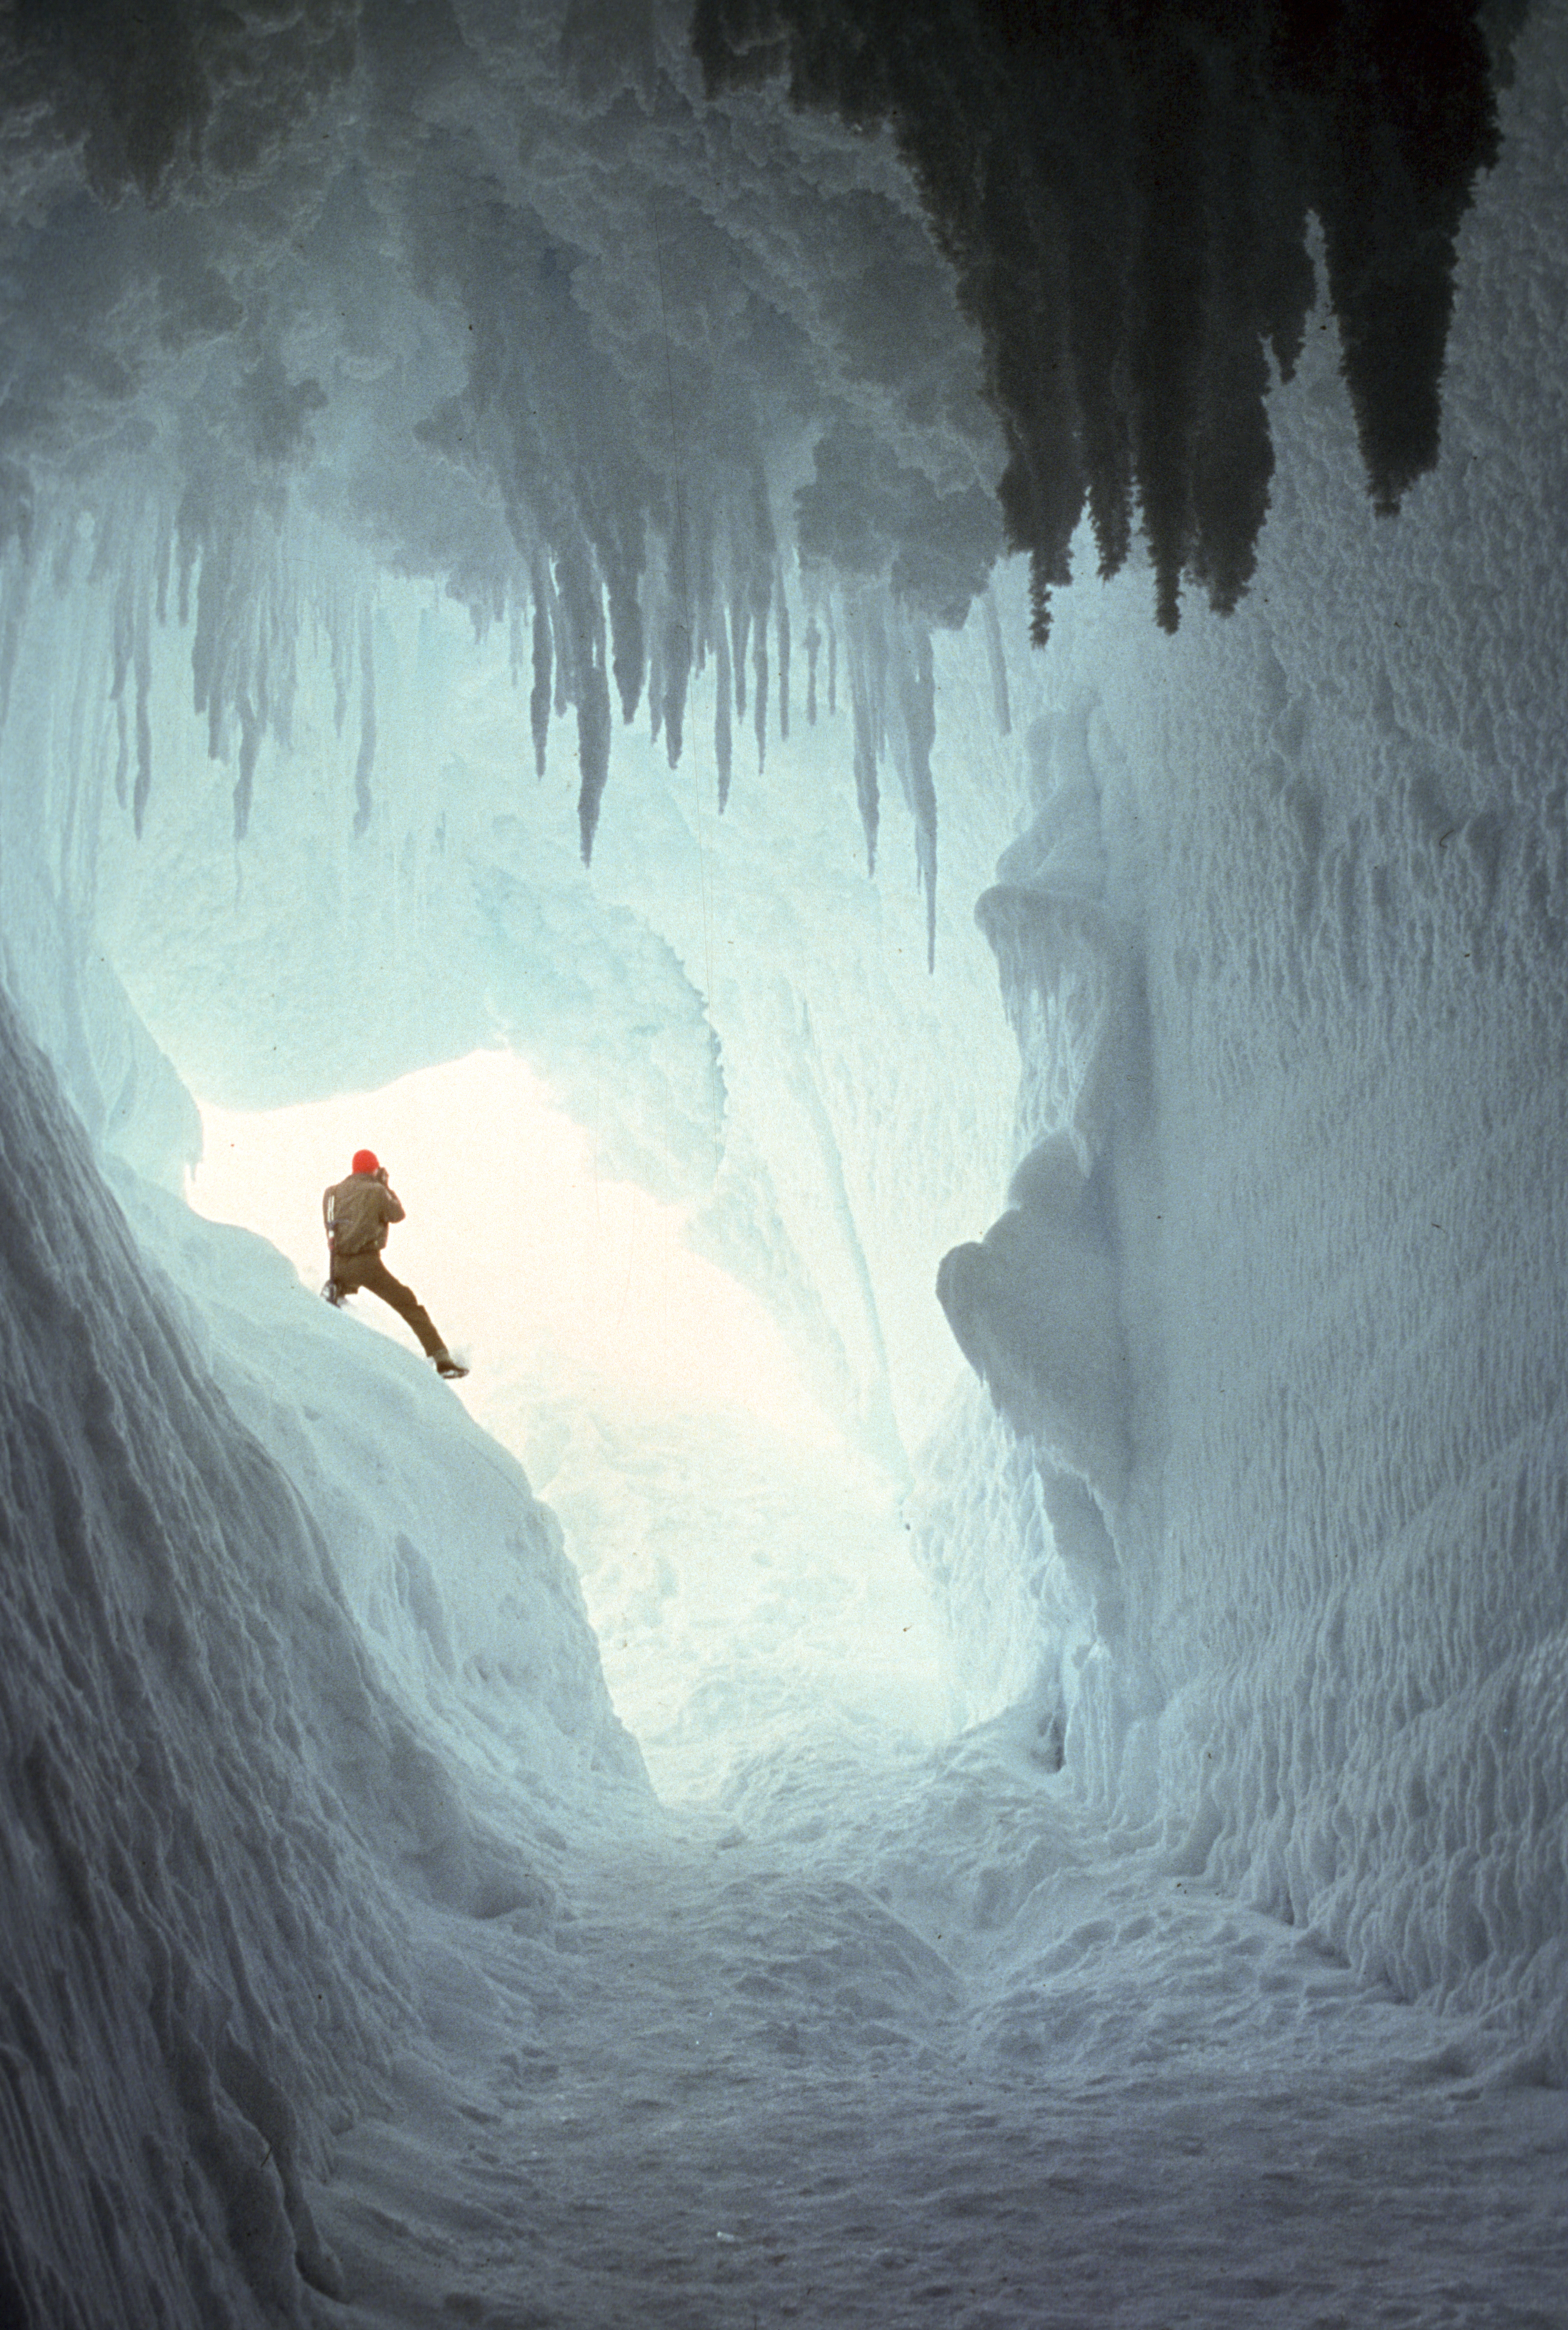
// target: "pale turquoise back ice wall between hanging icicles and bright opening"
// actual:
[[730, 1005]]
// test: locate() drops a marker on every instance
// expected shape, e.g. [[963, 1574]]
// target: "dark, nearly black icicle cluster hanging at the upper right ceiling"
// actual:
[[1124, 195]]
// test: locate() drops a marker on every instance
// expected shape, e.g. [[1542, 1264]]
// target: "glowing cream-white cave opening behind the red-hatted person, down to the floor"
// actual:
[[744, 1565]]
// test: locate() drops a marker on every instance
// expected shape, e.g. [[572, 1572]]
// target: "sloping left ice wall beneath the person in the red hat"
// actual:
[[283, 1639]]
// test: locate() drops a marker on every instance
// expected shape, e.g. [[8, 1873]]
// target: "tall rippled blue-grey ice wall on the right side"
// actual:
[[1320, 1187]]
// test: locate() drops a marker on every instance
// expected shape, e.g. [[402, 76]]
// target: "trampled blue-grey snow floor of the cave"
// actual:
[[900, 2038]]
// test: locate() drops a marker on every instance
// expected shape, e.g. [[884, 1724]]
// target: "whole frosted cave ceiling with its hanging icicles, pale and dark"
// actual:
[[595, 344]]
